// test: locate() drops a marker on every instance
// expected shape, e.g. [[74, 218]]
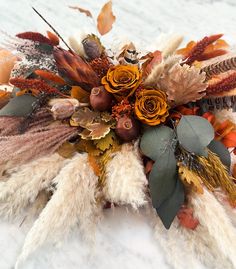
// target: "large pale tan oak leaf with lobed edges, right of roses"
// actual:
[[183, 84]]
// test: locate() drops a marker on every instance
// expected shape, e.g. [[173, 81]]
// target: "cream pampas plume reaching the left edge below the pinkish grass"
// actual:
[[25, 183]]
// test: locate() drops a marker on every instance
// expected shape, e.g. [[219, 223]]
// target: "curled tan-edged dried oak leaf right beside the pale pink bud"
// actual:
[[84, 117]]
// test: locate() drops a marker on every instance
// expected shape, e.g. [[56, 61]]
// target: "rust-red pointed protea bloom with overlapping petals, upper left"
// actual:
[[71, 66]]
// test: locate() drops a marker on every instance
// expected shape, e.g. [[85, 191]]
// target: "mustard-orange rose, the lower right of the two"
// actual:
[[151, 106]]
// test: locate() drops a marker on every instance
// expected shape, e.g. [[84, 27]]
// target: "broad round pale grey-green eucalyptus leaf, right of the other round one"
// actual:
[[195, 134]]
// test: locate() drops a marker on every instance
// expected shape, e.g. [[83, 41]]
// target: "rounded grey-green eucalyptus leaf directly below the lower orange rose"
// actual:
[[156, 141]]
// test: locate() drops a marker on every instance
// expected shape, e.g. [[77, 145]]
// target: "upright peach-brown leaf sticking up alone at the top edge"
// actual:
[[105, 19]]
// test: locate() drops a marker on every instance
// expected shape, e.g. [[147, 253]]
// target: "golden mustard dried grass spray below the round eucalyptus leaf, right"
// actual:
[[214, 174]]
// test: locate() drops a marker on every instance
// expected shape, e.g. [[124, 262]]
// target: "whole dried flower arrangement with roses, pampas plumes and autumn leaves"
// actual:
[[81, 130]]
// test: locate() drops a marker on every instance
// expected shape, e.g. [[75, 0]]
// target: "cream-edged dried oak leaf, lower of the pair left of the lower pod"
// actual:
[[95, 130]]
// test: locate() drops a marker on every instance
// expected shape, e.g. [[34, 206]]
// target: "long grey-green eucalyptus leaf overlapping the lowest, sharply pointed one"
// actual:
[[162, 178]]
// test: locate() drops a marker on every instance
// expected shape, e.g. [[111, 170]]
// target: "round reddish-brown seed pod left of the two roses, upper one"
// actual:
[[100, 99]]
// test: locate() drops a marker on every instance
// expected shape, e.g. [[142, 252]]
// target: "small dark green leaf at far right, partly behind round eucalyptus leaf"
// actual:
[[218, 148]]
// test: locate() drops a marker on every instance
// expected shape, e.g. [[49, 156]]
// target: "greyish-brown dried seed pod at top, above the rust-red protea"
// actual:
[[92, 47]]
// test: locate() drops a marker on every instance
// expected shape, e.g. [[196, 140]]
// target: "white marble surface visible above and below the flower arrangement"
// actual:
[[124, 240]]
